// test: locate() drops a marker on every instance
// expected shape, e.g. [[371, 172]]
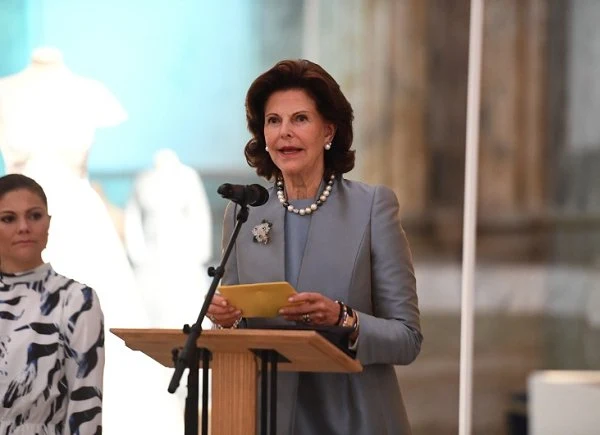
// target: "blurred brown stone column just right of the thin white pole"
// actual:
[[512, 140]]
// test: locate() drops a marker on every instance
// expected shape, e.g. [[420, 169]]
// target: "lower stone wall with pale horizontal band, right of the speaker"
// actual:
[[527, 318]]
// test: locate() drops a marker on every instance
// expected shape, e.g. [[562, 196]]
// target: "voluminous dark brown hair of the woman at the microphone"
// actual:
[[331, 104]]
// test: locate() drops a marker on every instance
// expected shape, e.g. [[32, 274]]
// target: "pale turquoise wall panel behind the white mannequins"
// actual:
[[180, 69]]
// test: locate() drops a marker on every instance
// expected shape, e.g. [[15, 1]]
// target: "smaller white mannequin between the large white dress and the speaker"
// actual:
[[168, 238]]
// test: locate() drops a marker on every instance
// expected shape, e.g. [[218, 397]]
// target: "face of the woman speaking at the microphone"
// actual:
[[296, 133]]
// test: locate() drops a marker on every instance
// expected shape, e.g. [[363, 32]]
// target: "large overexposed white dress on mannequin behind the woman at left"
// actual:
[[48, 117]]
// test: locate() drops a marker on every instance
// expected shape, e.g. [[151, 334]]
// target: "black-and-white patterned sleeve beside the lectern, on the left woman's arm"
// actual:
[[83, 327]]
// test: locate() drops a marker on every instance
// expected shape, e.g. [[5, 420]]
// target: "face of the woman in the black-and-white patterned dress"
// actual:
[[24, 224]]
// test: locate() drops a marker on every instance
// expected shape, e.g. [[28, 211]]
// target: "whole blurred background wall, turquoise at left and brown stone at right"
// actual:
[[181, 69]]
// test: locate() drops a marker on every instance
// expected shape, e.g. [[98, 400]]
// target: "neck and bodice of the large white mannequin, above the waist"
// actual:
[[50, 114]]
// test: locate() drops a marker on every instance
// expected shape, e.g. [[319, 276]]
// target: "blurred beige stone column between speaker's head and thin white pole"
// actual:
[[394, 83]]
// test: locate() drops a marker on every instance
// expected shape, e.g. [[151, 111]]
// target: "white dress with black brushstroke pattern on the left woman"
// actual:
[[51, 355]]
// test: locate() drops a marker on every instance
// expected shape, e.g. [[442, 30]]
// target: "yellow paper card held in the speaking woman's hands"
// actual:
[[258, 300]]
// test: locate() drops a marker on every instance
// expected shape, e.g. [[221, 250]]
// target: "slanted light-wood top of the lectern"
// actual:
[[307, 351]]
